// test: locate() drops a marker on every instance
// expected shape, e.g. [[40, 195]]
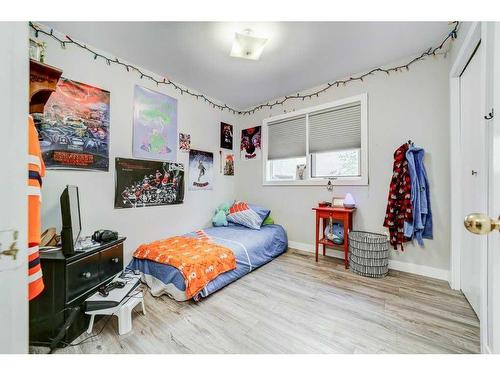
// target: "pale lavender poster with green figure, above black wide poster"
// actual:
[[155, 125]]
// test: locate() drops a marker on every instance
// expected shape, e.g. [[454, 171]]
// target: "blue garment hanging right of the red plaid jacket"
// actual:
[[421, 227]]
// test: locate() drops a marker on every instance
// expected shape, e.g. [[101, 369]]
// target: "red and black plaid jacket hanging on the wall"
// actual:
[[399, 206]]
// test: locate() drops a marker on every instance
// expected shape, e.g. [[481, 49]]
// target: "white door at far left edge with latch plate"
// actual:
[[14, 73]]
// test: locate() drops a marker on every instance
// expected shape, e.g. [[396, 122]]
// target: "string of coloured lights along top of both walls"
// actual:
[[452, 35]]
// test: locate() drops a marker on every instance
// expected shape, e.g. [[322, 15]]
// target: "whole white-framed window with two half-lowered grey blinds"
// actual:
[[324, 142]]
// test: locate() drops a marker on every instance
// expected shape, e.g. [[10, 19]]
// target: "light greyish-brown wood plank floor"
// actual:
[[293, 305]]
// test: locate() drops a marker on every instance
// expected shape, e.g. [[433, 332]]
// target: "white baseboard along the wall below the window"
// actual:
[[417, 269]]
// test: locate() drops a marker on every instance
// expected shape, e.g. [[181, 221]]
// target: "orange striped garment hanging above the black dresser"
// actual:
[[36, 170]]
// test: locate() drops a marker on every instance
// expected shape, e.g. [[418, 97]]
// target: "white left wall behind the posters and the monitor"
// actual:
[[97, 188]]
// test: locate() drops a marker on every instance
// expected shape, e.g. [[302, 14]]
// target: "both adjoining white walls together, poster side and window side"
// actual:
[[404, 105]]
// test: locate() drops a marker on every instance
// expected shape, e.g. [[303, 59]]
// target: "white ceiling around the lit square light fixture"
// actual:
[[299, 55]]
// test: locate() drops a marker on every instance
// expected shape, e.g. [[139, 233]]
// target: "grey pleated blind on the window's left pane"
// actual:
[[287, 138]]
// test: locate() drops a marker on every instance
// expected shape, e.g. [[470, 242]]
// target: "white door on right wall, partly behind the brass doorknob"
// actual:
[[474, 175]]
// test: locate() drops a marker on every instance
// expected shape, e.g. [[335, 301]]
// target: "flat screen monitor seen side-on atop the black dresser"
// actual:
[[71, 221]]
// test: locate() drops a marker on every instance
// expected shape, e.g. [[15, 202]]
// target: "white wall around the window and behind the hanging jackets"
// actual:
[[408, 105]]
